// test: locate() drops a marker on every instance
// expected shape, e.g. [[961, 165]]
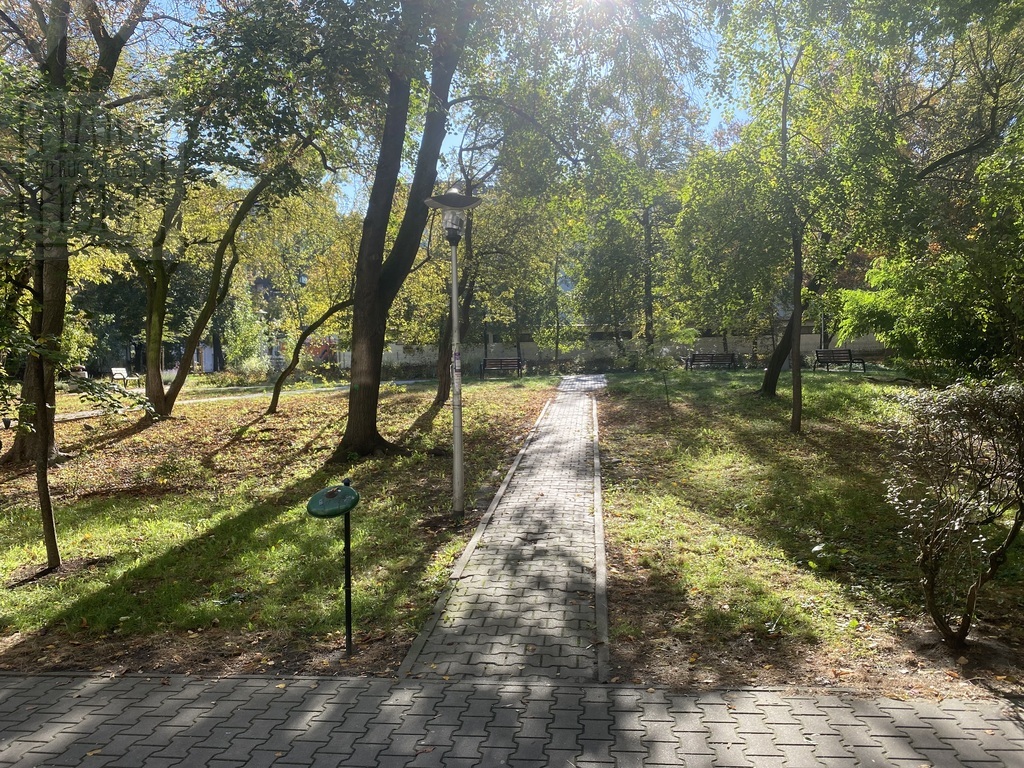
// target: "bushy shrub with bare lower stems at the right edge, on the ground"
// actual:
[[959, 482]]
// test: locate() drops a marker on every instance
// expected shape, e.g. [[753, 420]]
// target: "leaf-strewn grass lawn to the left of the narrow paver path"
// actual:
[[189, 547]]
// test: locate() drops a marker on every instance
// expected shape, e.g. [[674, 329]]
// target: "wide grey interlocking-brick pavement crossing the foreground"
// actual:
[[136, 721]]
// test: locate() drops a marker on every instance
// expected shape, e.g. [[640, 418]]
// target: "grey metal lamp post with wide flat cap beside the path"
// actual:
[[453, 206]]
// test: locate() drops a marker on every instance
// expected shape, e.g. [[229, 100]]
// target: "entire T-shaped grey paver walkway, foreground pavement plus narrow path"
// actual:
[[519, 639]]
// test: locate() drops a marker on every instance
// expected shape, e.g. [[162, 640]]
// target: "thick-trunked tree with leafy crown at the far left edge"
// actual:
[[76, 154]]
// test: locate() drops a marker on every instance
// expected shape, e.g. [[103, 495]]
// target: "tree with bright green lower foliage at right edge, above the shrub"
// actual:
[[944, 292]]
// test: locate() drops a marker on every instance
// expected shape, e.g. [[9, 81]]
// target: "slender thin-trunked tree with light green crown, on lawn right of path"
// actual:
[[807, 73]]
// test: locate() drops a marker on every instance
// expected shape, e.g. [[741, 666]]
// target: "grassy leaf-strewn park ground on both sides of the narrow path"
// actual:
[[739, 554]]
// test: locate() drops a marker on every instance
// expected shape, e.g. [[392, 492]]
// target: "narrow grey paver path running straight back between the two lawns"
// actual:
[[525, 602]]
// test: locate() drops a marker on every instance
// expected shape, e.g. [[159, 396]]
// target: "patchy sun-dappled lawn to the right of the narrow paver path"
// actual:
[[743, 554]]
